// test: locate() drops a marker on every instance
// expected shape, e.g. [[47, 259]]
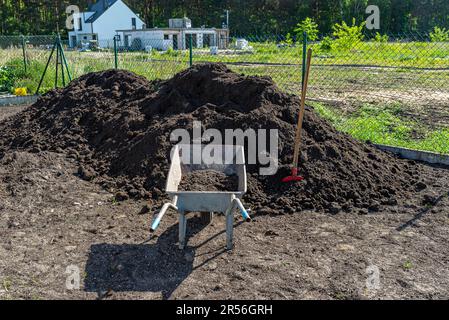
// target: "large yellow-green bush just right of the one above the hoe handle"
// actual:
[[348, 36]]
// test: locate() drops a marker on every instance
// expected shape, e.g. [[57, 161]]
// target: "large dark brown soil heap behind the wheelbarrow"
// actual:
[[118, 125]]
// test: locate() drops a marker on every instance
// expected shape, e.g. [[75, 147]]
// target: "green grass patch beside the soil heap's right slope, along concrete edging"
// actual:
[[384, 125]]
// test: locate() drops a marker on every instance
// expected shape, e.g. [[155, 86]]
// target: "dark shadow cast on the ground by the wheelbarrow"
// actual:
[[159, 267]]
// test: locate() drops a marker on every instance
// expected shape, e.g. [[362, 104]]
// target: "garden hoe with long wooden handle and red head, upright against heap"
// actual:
[[294, 173]]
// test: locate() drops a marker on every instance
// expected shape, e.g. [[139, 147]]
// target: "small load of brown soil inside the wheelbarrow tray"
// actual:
[[208, 180]]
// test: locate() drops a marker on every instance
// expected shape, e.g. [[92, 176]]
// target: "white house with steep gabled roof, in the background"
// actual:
[[101, 21]]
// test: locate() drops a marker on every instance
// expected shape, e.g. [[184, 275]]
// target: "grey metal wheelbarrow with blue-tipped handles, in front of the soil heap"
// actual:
[[187, 158]]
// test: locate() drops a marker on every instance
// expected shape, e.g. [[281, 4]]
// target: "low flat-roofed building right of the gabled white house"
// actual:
[[176, 36]]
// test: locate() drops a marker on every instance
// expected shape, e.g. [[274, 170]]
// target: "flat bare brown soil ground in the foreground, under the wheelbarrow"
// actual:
[[52, 222]]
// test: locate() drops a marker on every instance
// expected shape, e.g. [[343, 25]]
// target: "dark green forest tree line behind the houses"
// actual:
[[247, 17]]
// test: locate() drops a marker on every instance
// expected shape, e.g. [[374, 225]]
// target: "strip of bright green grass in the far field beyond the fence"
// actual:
[[394, 54]]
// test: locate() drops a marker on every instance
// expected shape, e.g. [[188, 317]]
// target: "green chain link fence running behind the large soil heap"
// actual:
[[387, 89]]
